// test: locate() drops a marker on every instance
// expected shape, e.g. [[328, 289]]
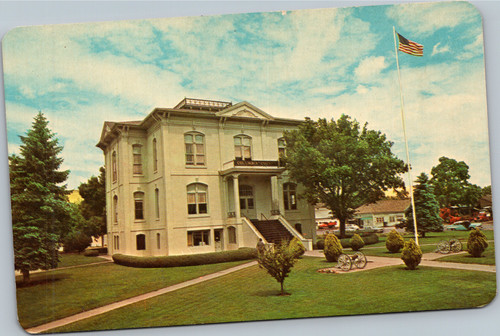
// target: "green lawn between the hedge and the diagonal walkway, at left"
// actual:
[[60, 293]]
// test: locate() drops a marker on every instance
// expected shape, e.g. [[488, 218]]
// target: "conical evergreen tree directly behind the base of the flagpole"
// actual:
[[427, 208]]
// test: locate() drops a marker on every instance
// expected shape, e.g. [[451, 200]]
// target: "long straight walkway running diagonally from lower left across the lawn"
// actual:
[[119, 304]]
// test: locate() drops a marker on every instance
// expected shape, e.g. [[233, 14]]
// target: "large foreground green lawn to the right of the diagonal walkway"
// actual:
[[251, 294]]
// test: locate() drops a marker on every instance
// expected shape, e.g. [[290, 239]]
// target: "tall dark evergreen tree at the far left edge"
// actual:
[[40, 211]]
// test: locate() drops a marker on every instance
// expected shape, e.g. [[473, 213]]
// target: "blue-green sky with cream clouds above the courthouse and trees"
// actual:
[[316, 63]]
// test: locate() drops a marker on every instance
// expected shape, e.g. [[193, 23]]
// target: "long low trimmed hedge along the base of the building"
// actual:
[[244, 253]]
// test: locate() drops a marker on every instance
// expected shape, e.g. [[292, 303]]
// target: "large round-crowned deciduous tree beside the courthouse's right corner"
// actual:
[[342, 164]]
